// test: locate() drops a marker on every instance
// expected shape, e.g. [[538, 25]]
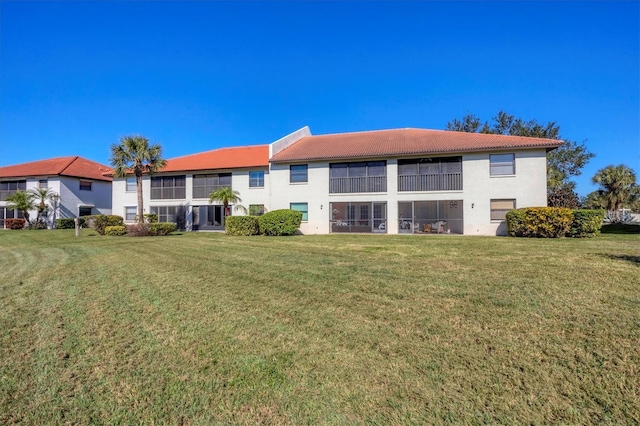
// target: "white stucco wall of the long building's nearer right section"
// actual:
[[527, 187]]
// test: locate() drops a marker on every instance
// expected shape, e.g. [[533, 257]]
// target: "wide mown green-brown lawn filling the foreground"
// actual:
[[203, 328]]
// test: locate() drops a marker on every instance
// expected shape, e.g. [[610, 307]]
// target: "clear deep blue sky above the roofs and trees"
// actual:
[[194, 76]]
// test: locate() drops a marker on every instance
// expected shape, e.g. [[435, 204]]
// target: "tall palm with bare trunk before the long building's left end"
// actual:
[[135, 156]]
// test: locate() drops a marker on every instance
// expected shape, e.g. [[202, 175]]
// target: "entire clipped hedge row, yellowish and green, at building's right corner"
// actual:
[[553, 222]]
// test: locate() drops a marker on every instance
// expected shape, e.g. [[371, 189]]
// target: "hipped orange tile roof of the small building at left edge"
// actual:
[[73, 166]]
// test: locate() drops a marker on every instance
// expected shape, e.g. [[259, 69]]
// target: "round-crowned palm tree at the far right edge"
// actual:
[[617, 186]]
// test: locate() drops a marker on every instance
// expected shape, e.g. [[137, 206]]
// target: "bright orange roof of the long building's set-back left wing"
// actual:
[[223, 158]]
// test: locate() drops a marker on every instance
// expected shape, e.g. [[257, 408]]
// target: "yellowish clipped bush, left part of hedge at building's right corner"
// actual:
[[541, 222]]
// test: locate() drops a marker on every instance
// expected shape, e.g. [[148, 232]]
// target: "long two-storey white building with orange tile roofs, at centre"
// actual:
[[386, 181]]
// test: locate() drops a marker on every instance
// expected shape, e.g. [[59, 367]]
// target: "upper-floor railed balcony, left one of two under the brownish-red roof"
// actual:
[[358, 177]]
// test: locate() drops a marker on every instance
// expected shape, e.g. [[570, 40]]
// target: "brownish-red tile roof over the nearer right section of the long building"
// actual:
[[398, 142]]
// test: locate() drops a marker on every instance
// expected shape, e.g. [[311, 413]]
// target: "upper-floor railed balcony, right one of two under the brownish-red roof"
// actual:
[[430, 174]]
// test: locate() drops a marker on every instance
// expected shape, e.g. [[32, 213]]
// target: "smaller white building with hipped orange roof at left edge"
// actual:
[[81, 184]]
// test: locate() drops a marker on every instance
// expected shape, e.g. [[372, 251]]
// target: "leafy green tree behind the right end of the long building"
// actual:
[[562, 163]]
